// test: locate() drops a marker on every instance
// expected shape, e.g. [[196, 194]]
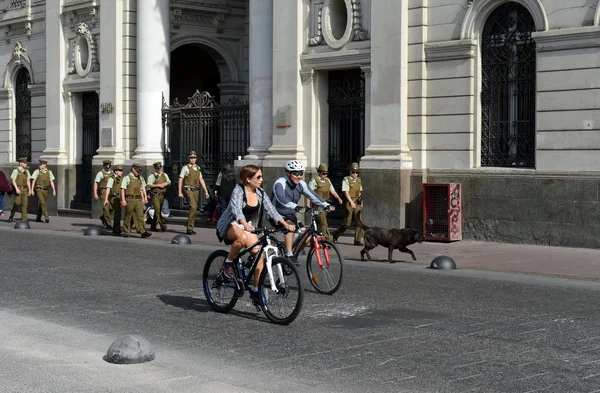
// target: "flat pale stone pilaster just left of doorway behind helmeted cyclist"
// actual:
[[288, 30]]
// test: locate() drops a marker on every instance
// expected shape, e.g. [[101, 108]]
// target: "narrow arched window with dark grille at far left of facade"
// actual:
[[23, 114]]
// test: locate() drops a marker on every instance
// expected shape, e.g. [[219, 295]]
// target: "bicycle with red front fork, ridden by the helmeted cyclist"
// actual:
[[324, 263]]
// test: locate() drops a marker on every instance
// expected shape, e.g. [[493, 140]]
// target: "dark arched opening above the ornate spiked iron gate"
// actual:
[[193, 69]]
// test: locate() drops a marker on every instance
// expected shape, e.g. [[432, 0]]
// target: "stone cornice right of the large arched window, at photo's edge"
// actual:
[[565, 39]]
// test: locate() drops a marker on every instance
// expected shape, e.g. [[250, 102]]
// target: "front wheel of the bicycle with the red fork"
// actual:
[[326, 276]]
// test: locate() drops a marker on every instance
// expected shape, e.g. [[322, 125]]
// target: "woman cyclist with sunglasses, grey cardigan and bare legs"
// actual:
[[236, 223]]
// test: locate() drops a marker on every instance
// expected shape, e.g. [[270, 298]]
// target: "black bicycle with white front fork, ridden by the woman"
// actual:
[[279, 287]]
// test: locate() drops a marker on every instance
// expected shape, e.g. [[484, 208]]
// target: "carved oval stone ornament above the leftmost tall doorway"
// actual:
[[84, 52]]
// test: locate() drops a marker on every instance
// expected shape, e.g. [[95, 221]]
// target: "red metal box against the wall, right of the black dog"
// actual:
[[442, 211]]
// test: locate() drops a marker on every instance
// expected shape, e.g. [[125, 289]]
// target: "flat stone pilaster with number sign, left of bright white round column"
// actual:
[[111, 84]]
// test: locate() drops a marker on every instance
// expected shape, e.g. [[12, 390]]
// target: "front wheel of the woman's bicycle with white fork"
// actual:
[[283, 305]]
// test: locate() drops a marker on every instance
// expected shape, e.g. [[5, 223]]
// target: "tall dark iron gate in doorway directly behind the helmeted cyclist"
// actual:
[[346, 123]]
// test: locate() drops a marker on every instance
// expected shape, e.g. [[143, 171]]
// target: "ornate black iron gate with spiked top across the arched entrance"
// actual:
[[218, 134]]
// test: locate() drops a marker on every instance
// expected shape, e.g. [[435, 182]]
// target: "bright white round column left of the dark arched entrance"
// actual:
[[153, 57]]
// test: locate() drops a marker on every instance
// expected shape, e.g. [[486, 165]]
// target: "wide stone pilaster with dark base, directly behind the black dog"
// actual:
[[386, 167]]
